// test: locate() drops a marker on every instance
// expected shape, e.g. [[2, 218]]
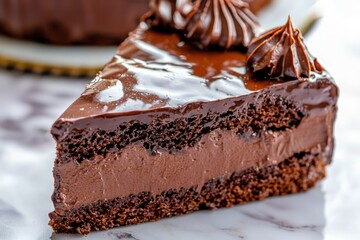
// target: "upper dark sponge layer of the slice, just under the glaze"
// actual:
[[273, 113]]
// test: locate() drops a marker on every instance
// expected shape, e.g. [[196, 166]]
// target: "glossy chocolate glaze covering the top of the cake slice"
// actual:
[[157, 72]]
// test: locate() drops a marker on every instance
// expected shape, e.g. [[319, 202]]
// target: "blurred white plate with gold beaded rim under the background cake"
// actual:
[[87, 60]]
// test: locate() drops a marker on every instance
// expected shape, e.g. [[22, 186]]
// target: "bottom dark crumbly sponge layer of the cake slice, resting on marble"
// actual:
[[295, 174]]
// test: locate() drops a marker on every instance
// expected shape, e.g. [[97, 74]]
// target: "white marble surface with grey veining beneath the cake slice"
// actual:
[[30, 103]]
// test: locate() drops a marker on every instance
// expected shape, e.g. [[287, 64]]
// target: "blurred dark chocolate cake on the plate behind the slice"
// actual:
[[91, 22]]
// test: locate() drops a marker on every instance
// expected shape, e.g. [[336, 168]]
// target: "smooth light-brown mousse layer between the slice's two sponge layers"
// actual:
[[217, 154]]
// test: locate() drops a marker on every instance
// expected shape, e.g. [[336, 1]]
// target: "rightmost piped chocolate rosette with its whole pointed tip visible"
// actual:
[[281, 53]]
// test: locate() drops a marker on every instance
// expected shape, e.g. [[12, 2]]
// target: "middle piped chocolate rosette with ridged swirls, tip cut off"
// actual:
[[222, 24]]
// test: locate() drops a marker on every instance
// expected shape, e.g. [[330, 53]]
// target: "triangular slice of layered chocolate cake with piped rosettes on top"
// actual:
[[190, 116]]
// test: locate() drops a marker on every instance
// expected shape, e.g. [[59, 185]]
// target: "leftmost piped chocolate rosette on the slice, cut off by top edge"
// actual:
[[168, 14]]
